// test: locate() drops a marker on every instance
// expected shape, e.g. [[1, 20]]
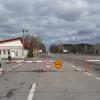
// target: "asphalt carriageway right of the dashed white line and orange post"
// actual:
[[80, 61]]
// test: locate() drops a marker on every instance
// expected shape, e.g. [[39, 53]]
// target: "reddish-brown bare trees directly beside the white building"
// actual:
[[33, 44]]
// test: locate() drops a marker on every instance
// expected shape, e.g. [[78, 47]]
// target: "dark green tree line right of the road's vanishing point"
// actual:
[[72, 48]]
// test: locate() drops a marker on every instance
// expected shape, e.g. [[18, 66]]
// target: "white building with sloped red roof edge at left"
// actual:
[[13, 47]]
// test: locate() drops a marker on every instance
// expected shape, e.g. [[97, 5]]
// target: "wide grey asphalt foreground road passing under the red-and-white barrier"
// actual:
[[33, 81]]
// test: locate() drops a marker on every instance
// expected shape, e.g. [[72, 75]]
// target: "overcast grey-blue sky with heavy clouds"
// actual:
[[53, 20]]
